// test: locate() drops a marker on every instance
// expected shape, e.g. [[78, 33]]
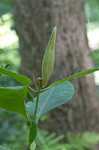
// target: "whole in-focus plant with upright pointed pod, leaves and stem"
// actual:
[[45, 97]]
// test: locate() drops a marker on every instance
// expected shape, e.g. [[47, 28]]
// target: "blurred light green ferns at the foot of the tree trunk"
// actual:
[[79, 141]]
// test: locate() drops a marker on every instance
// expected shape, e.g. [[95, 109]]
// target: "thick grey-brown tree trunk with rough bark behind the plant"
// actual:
[[34, 21]]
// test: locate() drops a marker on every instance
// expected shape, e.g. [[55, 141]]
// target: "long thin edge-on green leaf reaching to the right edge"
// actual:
[[77, 75]]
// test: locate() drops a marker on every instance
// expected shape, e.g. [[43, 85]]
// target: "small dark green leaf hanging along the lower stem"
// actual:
[[32, 132]]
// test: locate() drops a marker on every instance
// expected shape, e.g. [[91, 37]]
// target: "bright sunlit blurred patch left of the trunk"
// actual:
[[9, 43]]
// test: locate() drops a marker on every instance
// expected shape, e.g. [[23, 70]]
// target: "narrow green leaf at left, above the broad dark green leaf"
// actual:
[[20, 78]]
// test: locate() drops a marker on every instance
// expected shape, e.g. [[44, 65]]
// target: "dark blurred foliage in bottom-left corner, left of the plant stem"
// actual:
[[13, 131]]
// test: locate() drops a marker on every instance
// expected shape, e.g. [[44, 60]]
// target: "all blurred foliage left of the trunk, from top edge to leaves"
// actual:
[[8, 42]]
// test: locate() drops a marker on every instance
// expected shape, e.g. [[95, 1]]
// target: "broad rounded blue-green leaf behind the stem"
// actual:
[[52, 98]]
